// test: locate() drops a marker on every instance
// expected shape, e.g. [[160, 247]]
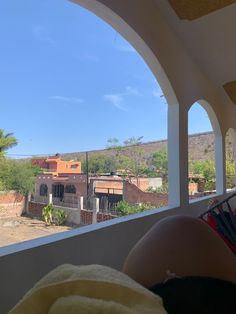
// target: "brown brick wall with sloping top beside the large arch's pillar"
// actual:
[[133, 195]]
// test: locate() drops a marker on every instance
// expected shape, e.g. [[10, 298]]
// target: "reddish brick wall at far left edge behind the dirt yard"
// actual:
[[11, 204]]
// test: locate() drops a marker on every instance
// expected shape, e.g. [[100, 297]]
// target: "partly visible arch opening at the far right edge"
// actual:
[[230, 150]]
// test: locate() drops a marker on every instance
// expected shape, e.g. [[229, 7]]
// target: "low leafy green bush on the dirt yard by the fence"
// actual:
[[51, 215]]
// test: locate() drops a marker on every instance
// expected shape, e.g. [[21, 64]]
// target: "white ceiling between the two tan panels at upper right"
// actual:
[[210, 40]]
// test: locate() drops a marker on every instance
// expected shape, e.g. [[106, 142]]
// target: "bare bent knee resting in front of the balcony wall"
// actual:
[[182, 245]]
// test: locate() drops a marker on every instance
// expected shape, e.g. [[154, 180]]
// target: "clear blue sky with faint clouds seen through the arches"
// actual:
[[69, 81]]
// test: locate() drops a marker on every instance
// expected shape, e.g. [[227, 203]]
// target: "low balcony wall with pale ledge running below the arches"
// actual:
[[106, 243]]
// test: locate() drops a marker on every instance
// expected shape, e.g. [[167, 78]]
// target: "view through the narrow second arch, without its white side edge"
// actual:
[[201, 153]]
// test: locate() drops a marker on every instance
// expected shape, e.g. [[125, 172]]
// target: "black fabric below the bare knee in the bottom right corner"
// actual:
[[197, 295]]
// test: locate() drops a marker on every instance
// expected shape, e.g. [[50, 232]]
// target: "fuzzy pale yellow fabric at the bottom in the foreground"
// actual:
[[91, 289]]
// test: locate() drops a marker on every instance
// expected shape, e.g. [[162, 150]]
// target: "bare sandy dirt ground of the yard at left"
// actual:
[[19, 229]]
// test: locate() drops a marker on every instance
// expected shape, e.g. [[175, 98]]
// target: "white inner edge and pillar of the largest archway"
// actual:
[[126, 31]]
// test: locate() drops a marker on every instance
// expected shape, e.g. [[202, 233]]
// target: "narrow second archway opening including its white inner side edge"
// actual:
[[204, 151]]
